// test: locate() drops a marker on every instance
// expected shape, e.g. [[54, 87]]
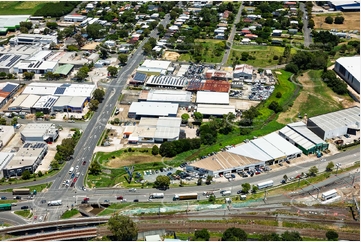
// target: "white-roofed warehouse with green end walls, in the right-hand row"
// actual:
[[299, 135]]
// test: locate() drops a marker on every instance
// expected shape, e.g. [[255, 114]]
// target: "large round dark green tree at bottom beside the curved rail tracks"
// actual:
[[122, 227]]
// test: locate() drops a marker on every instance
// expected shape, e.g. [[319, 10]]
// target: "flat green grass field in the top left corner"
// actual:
[[20, 7]]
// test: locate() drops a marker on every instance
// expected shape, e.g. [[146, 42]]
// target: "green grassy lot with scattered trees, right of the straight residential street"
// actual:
[[263, 54]]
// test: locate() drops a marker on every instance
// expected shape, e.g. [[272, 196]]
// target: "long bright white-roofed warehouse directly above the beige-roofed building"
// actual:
[[138, 110]]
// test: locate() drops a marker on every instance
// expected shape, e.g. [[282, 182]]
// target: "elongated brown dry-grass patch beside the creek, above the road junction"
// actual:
[[127, 160]]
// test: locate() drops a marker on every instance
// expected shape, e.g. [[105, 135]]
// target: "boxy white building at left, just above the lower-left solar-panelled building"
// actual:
[[39, 132]]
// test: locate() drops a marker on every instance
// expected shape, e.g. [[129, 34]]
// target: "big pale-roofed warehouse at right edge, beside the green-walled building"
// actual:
[[327, 126]]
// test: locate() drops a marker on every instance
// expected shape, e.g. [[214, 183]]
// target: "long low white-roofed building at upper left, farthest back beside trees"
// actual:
[[33, 39]]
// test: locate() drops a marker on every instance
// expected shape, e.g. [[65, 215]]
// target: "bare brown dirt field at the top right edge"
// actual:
[[352, 21]]
